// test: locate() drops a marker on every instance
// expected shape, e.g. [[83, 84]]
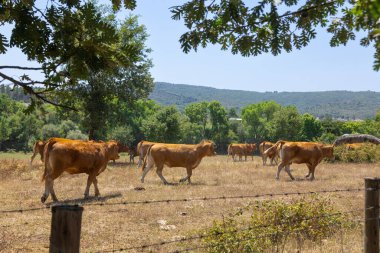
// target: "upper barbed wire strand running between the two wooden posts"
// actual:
[[143, 202]]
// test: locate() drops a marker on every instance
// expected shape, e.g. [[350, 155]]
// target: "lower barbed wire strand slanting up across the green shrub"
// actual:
[[197, 237]]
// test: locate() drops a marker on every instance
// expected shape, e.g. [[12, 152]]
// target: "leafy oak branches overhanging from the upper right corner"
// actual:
[[274, 26]]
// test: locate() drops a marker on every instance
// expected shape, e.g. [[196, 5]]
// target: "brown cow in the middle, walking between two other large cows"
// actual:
[[176, 155]]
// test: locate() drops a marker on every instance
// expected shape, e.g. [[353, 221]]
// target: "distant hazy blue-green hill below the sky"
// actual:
[[337, 104]]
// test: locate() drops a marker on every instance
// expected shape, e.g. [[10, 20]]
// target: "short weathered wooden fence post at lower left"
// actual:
[[65, 229]]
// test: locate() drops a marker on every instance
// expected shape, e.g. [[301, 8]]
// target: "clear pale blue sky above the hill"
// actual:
[[317, 67]]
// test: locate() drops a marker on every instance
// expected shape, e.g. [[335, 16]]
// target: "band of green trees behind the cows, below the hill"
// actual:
[[144, 119]]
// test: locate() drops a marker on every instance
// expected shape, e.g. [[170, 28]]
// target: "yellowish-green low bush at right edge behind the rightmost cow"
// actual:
[[368, 153]]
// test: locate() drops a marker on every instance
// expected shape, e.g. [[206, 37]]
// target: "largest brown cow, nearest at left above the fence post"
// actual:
[[74, 157]]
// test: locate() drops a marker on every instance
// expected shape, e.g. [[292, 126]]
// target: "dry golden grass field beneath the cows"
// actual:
[[112, 227]]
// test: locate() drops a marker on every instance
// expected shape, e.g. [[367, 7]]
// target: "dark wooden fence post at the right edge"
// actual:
[[371, 234]]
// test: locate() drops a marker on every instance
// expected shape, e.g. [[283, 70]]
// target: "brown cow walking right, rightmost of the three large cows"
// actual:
[[310, 153]]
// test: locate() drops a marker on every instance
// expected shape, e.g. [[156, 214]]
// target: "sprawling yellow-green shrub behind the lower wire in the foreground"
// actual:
[[273, 223]]
